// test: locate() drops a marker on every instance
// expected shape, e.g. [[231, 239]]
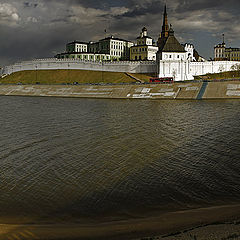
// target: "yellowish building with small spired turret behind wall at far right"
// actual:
[[221, 53]]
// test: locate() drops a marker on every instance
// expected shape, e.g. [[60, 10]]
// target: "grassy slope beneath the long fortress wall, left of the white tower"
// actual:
[[69, 77]]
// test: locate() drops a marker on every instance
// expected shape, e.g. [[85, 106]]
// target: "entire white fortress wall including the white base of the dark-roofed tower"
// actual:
[[178, 69]]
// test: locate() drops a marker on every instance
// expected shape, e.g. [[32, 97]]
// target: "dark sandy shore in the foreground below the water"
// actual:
[[221, 222]]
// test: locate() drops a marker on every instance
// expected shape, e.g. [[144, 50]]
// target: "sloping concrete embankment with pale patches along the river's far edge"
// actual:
[[188, 90]]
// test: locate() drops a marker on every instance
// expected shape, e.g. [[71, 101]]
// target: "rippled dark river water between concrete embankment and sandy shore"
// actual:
[[90, 158]]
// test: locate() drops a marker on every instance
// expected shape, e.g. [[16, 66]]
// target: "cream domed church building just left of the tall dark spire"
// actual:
[[144, 50]]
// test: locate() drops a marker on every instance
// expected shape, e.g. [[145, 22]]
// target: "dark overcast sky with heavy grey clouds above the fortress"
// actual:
[[41, 28]]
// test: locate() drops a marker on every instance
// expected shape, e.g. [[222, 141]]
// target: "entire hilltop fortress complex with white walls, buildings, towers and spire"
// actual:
[[182, 62]]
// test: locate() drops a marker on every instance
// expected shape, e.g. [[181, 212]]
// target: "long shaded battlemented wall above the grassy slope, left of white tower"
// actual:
[[52, 64]]
